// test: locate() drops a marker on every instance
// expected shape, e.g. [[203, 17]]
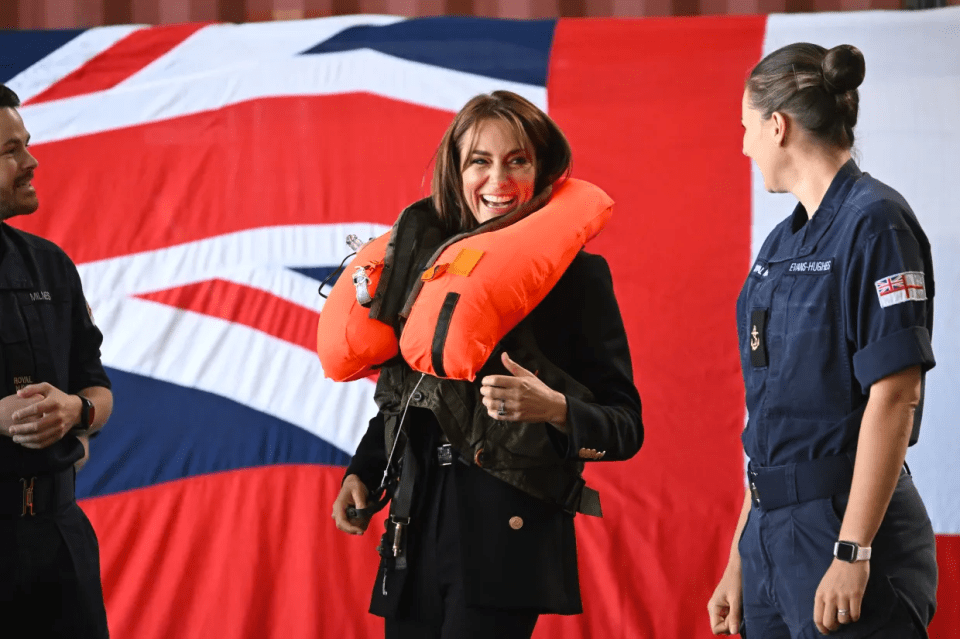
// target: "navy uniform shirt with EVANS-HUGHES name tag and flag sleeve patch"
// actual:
[[831, 306]]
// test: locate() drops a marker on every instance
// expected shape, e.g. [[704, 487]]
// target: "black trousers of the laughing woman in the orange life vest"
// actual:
[[433, 604]]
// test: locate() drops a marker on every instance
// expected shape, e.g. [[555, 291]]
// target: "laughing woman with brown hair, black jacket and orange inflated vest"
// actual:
[[480, 539]]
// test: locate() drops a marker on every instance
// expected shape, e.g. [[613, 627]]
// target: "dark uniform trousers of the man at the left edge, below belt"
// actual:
[[50, 576]]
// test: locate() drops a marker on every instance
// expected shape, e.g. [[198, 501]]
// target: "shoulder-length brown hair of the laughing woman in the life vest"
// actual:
[[530, 124]]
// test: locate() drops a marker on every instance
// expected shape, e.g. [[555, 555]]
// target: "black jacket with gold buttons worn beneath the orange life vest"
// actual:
[[579, 328]]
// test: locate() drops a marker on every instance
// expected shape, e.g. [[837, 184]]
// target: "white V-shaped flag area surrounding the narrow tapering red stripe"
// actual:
[[208, 353]]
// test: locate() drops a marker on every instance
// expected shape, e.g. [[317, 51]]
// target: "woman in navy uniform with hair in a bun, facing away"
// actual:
[[835, 322]]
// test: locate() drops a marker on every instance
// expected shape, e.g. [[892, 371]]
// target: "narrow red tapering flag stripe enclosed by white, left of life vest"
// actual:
[[245, 305]]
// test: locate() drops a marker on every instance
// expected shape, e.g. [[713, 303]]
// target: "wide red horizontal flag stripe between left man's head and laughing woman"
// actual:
[[350, 158]]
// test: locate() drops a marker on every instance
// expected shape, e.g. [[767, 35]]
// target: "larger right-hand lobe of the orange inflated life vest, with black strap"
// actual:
[[482, 286]]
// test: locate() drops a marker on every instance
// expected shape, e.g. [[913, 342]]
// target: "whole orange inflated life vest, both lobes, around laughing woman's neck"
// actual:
[[472, 295]]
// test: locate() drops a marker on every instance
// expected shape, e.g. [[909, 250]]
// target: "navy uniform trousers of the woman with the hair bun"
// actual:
[[785, 553]]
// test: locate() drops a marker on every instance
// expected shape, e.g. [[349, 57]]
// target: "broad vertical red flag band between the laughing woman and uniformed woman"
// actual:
[[652, 110]]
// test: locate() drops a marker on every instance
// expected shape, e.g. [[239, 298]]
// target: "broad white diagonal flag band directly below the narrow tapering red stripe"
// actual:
[[234, 361]]
